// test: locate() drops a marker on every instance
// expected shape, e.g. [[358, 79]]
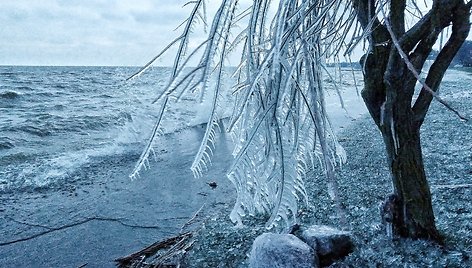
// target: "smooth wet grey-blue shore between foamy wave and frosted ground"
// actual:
[[128, 215]]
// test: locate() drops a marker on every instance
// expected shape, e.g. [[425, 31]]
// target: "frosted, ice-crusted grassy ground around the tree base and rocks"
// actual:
[[364, 182]]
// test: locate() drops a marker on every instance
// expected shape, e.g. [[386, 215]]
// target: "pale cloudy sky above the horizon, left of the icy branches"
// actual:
[[88, 32]]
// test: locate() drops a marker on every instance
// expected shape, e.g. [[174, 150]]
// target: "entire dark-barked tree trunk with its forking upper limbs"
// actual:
[[388, 94]]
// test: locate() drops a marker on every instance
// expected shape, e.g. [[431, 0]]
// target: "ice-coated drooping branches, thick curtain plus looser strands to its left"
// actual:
[[279, 123]]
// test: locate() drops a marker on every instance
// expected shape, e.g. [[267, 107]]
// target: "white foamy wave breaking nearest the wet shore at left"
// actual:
[[60, 172]]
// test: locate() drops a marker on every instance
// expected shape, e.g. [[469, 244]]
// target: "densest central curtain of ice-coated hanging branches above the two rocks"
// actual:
[[280, 124]]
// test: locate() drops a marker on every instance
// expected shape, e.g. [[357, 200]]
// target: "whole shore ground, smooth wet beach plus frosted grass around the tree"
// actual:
[[149, 201]]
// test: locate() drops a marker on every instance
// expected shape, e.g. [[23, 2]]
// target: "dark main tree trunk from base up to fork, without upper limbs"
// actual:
[[412, 213]]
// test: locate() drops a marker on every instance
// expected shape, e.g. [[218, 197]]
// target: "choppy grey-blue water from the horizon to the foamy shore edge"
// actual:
[[55, 120]]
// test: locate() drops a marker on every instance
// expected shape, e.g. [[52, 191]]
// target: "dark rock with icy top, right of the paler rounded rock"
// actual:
[[330, 243]]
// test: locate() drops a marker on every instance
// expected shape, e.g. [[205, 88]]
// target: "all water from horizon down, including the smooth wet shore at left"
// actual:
[[70, 137]]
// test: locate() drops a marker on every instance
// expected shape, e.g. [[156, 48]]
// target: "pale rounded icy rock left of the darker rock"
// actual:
[[281, 250]]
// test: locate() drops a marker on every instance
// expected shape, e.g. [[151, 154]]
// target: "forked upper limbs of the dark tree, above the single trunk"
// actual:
[[405, 52]]
